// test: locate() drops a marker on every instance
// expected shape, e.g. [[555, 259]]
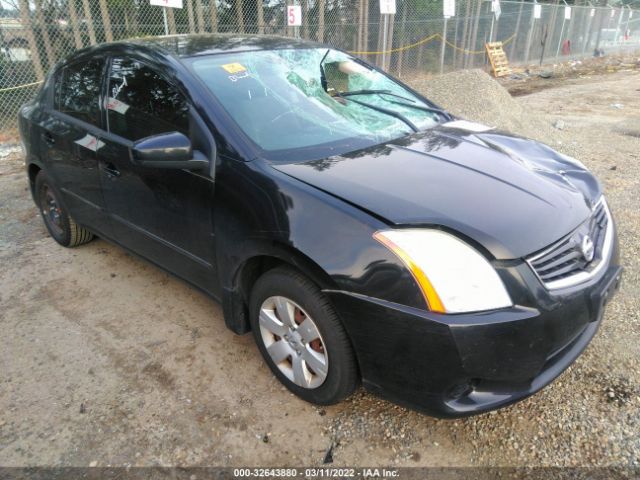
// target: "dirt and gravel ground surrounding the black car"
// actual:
[[108, 361]]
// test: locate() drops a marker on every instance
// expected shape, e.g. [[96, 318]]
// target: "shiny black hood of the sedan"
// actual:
[[512, 195]]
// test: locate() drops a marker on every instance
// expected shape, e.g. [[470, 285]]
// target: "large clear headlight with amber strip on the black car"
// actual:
[[453, 276]]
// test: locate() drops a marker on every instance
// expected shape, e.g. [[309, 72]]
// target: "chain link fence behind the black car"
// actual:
[[416, 40]]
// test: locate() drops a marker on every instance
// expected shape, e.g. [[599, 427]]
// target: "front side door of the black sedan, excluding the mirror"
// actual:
[[163, 215]]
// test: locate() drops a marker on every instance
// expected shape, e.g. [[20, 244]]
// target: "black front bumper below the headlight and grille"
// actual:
[[465, 364]]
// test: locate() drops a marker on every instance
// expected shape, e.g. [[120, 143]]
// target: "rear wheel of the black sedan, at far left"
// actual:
[[63, 228]]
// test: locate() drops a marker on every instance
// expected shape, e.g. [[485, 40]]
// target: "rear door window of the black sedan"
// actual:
[[77, 90]]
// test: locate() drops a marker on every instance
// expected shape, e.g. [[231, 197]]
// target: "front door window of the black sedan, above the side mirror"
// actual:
[[141, 103]]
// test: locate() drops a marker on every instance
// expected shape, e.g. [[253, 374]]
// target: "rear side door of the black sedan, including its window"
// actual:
[[70, 139]]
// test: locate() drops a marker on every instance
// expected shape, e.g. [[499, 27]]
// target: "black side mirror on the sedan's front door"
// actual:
[[168, 150]]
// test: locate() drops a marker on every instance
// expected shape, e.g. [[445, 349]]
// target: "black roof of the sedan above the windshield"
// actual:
[[212, 43]]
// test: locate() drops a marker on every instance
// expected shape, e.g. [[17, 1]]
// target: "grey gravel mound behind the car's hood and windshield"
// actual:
[[474, 95]]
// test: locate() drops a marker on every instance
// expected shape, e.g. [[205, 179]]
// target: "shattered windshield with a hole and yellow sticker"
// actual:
[[312, 99]]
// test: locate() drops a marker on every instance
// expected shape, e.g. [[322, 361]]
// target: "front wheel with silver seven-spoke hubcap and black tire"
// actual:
[[301, 338]]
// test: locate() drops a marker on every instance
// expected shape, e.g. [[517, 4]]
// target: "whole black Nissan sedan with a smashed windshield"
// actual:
[[359, 231]]
